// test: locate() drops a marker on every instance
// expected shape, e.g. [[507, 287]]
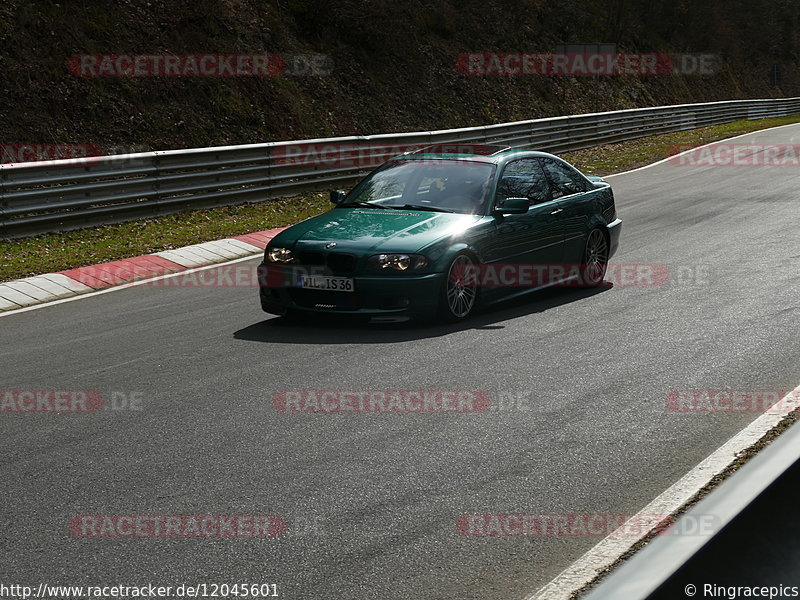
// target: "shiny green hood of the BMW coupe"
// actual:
[[378, 230]]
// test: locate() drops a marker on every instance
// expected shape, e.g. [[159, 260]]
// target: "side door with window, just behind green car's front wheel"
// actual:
[[535, 237]]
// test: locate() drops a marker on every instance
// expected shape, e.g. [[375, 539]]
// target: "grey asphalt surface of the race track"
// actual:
[[372, 500]]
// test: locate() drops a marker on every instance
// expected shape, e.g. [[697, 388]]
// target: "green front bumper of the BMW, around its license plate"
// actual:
[[392, 295]]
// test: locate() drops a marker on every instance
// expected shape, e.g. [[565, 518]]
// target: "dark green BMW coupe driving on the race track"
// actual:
[[440, 231]]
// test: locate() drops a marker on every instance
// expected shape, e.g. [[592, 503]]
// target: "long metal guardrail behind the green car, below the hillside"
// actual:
[[69, 194]]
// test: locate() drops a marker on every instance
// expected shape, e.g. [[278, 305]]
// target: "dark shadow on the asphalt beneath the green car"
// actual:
[[344, 329]]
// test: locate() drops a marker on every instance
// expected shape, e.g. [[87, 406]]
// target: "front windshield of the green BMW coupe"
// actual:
[[456, 186]]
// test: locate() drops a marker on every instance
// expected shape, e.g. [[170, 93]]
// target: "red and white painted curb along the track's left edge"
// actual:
[[40, 289]]
